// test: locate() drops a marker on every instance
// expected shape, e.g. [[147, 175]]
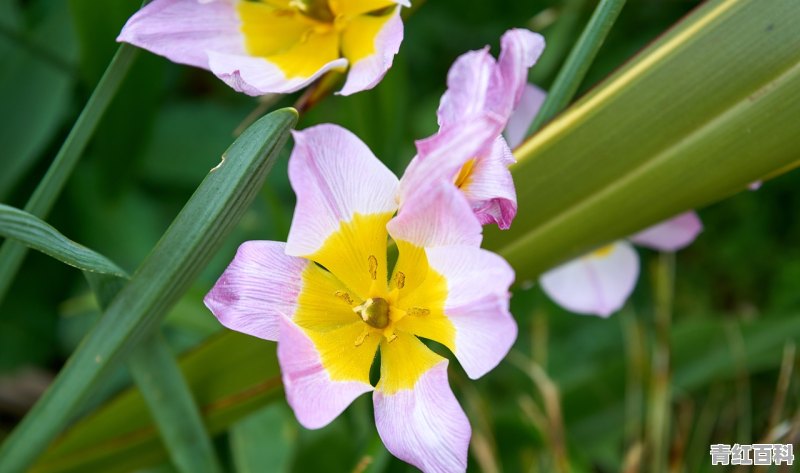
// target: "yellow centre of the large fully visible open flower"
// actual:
[[351, 304]]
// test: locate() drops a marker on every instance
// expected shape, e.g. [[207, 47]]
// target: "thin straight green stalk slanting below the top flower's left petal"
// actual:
[[48, 189]]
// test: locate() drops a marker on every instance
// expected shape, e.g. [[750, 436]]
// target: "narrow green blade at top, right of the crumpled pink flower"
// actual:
[[577, 64]]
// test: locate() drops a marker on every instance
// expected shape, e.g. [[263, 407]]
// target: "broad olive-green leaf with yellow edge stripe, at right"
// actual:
[[677, 128]]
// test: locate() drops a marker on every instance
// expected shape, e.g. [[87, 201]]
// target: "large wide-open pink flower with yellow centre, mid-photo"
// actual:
[[330, 300]]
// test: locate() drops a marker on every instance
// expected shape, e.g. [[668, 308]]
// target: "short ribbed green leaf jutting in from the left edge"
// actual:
[[34, 233]]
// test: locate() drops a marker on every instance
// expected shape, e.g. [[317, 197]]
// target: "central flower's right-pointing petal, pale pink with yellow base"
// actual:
[[467, 293]]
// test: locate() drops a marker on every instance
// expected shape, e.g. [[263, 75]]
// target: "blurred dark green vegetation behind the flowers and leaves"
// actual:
[[576, 392]]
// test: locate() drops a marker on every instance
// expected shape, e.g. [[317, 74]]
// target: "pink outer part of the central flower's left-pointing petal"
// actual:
[[260, 286]]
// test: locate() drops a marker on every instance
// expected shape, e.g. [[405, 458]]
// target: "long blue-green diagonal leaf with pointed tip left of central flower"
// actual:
[[168, 271]]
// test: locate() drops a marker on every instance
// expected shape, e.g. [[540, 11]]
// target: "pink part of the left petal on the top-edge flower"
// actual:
[[184, 31]]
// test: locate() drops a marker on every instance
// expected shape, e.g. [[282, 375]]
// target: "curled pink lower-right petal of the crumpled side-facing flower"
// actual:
[[489, 187]]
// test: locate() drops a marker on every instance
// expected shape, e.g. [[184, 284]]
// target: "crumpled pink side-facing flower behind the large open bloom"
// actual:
[[479, 88]]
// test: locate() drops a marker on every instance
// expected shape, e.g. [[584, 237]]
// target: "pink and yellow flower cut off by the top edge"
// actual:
[[273, 46]]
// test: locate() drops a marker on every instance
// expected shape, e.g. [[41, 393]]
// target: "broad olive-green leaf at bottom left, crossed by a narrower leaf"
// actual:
[[231, 376]]
